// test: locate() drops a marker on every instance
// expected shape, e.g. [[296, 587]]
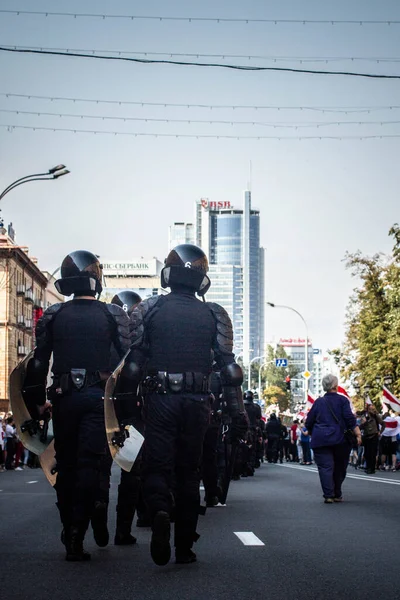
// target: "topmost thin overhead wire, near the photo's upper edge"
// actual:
[[205, 19]]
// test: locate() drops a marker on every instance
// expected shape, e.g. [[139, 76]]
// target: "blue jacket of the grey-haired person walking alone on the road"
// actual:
[[324, 429]]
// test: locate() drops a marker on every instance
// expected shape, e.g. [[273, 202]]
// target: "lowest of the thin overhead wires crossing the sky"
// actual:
[[11, 127]]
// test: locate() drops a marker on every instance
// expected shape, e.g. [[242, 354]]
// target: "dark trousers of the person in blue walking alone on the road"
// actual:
[[332, 464]]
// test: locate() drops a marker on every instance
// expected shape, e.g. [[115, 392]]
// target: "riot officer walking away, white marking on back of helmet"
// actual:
[[175, 337]]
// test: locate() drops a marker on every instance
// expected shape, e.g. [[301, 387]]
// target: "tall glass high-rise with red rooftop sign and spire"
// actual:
[[231, 238]]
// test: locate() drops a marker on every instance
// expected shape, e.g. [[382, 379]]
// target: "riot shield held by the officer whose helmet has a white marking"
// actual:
[[124, 441]]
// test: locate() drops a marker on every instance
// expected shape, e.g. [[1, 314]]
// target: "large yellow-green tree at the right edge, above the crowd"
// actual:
[[371, 348]]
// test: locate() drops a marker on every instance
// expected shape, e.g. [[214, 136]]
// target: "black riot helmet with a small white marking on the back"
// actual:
[[186, 265]]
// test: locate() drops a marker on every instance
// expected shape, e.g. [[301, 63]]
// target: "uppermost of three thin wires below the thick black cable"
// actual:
[[323, 109]]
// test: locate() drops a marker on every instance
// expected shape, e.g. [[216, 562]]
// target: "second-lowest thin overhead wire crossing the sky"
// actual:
[[195, 121]]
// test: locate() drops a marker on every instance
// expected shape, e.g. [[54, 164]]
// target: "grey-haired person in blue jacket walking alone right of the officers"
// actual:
[[327, 421]]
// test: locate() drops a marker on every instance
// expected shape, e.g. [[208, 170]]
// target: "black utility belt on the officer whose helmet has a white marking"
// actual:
[[177, 383]]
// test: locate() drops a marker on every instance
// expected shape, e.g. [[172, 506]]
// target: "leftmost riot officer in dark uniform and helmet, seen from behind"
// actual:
[[79, 333]]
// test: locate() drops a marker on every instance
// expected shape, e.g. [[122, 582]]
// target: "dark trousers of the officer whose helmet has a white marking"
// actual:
[[175, 429]]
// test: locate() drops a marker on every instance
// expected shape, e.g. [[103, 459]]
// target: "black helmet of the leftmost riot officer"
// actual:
[[81, 274]]
